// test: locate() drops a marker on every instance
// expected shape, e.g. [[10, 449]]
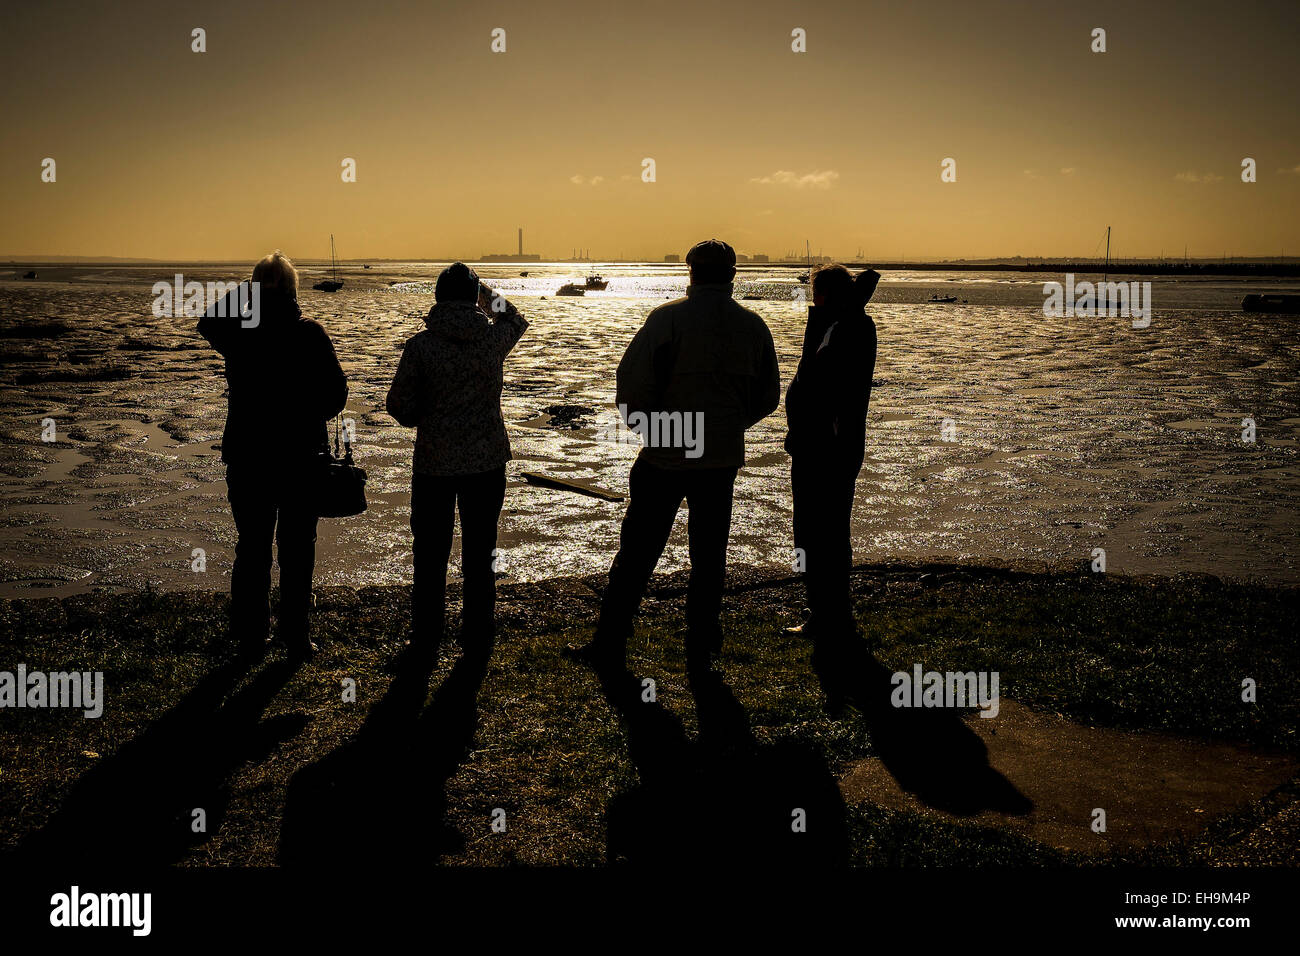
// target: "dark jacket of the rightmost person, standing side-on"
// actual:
[[826, 405]]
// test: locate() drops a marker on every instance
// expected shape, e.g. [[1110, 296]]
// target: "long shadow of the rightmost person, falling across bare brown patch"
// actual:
[[930, 751]]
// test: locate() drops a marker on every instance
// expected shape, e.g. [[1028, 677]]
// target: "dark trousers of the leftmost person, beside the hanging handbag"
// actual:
[[267, 504]]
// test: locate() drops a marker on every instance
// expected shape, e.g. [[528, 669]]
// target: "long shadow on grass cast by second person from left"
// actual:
[[380, 799]]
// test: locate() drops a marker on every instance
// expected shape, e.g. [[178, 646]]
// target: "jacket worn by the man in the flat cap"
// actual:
[[705, 357]]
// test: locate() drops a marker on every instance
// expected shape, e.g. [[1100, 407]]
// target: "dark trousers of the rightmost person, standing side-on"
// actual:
[[824, 516]]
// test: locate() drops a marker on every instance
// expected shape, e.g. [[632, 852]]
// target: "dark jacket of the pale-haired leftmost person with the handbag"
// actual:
[[284, 382]]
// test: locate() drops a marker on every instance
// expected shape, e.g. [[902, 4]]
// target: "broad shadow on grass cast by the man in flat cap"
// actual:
[[723, 799]]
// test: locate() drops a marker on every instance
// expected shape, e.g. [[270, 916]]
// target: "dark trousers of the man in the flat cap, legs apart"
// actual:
[[655, 498]]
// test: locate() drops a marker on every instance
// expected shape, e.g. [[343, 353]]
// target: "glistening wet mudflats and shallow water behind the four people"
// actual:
[[1071, 434]]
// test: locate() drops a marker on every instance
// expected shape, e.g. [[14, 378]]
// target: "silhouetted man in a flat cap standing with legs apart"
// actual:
[[700, 373]]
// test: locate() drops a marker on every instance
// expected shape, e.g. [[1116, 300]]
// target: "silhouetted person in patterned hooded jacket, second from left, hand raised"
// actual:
[[448, 387]]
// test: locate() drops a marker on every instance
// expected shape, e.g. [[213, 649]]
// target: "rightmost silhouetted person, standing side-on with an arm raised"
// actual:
[[826, 408]]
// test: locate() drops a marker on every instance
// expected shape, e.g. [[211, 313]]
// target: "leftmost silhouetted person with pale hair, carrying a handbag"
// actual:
[[285, 383]]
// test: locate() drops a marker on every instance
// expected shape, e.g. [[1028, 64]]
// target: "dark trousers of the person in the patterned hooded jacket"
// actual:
[[434, 521]]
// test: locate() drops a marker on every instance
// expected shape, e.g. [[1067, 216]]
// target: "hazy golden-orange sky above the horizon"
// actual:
[[168, 154]]
